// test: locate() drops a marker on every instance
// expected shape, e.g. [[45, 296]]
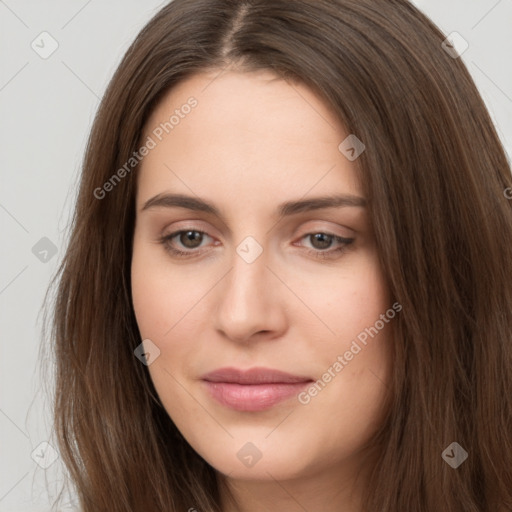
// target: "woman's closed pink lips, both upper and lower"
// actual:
[[256, 389]]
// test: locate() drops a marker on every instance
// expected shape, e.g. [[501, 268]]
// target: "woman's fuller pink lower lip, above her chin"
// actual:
[[253, 397]]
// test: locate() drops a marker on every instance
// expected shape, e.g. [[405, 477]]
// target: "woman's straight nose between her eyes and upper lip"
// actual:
[[251, 301]]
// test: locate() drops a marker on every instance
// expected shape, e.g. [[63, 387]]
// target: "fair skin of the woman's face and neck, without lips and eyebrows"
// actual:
[[252, 142]]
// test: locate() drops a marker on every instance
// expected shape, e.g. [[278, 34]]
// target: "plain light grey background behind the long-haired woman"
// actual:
[[46, 110]]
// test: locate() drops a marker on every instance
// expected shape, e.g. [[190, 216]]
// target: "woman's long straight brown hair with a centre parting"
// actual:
[[435, 175]]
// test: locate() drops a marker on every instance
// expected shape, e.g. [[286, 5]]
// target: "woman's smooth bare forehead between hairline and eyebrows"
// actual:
[[249, 134]]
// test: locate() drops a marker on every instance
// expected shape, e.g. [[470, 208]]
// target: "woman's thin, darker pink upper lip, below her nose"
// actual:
[[256, 375]]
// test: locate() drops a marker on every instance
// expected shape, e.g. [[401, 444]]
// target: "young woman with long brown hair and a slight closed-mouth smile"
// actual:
[[288, 280]]
